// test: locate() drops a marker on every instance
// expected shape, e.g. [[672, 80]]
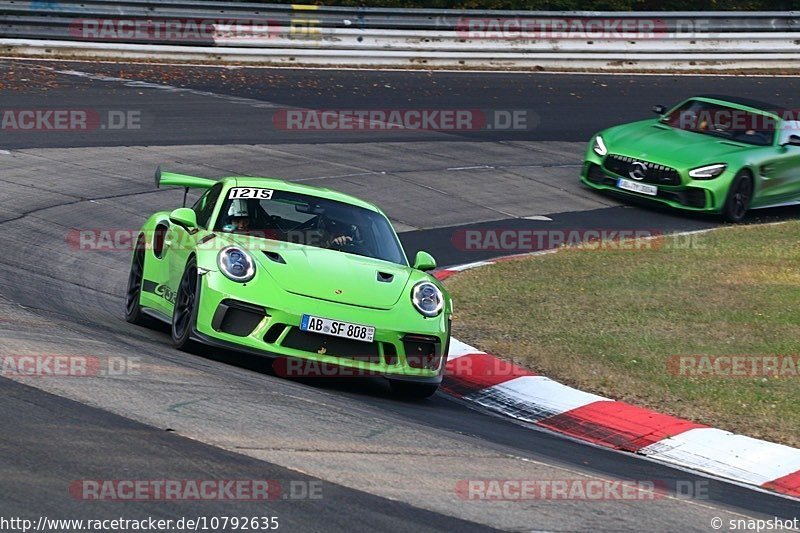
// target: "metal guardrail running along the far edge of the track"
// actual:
[[281, 33]]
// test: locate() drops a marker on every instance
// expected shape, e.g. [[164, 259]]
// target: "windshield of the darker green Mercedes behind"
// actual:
[[722, 121]]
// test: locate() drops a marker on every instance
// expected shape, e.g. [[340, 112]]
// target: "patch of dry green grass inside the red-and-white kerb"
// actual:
[[608, 321]]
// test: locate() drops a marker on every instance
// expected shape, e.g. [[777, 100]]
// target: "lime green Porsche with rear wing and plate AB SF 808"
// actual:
[[300, 273]]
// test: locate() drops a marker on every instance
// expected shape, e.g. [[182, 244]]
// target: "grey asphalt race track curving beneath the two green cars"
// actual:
[[382, 463]]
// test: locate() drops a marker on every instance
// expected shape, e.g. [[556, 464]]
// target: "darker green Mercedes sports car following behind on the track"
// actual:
[[714, 154]]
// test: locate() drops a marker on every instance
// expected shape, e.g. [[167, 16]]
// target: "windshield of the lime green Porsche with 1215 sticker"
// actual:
[[309, 220]]
